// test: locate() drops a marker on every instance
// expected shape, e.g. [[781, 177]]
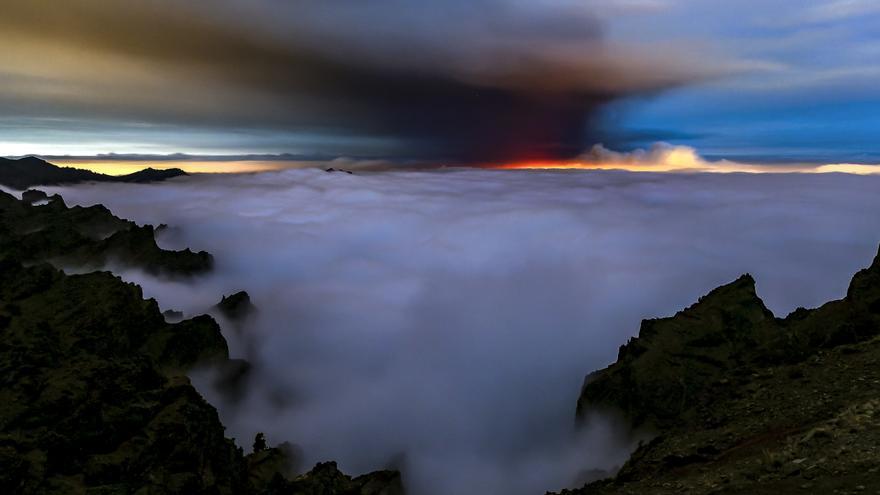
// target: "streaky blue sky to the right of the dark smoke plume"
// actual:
[[812, 93]]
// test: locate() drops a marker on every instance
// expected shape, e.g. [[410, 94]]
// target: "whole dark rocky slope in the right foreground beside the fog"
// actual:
[[743, 402]]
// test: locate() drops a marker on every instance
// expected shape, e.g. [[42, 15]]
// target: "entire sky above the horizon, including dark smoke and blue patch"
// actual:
[[453, 82]]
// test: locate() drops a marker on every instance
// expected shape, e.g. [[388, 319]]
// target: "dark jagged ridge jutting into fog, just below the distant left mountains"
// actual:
[[87, 237]]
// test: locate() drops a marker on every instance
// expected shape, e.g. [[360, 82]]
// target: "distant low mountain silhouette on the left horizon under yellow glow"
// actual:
[[32, 171]]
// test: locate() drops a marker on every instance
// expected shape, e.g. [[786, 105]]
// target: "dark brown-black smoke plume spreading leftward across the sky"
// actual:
[[478, 80]]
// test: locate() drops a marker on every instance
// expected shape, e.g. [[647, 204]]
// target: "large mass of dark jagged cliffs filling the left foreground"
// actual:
[[93, 393]]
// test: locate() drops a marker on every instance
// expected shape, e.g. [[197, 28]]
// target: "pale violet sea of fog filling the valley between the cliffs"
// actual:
[[443, 322]]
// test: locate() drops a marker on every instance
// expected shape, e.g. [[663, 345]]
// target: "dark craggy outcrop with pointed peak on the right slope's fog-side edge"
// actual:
[[661, 376]]
